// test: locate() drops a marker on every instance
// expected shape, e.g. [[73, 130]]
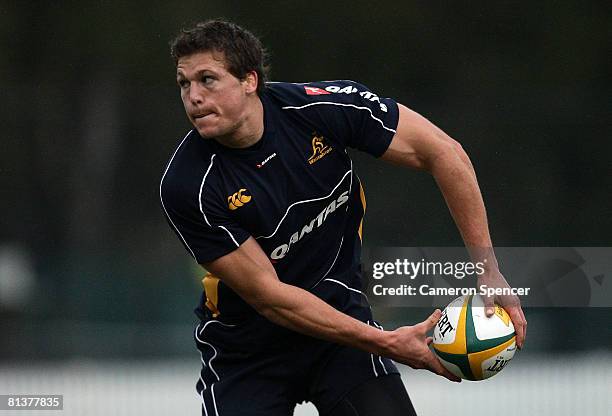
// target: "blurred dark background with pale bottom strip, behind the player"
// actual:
[[93, 282]]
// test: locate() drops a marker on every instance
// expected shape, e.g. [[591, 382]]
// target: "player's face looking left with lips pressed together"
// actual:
[[214, 99]]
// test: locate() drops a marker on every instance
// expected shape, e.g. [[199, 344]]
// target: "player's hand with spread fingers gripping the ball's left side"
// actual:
[[411, 347]]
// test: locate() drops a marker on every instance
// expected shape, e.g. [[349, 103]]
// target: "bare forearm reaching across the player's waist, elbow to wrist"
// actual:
[[301, 311]]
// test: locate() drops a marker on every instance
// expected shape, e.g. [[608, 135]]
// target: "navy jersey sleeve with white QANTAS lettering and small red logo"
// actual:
[[352, 114]]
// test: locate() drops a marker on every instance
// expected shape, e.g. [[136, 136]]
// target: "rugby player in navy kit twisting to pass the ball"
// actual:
[[263, 194]]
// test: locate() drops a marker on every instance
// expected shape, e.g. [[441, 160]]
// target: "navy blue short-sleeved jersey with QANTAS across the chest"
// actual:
[[295, 191]]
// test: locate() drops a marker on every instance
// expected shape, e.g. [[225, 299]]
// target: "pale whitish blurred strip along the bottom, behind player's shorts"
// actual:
[[540, 384]]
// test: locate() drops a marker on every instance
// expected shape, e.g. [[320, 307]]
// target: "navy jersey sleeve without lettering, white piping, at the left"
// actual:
[[205, 229]]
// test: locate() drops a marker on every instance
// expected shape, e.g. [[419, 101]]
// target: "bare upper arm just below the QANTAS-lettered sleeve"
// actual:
[[417, 141]]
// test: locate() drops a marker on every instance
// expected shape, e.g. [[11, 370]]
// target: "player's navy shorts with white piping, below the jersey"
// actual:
[[271, 379]]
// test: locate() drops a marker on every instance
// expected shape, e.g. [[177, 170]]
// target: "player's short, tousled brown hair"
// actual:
[[243, 51]]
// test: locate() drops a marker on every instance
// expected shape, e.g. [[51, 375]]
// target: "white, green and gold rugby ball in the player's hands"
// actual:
[[471, 345]]
